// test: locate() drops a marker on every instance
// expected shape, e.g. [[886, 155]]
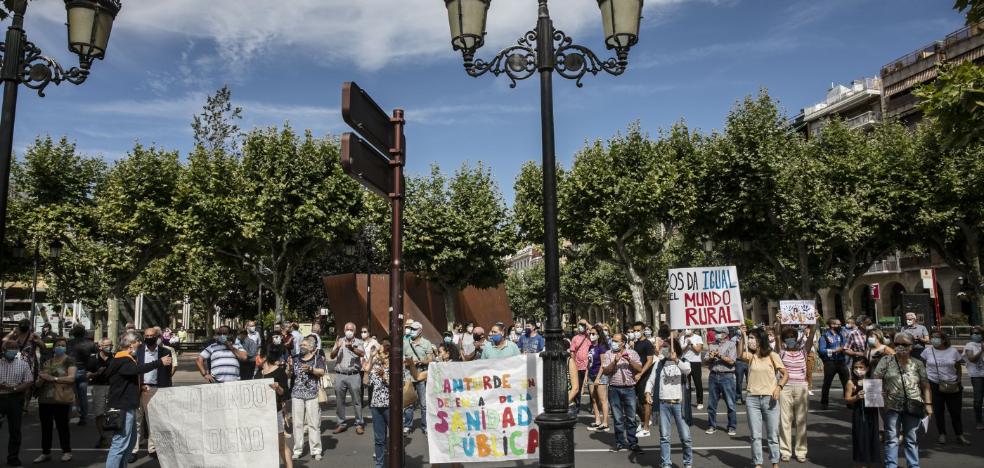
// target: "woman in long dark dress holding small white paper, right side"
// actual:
[[864, 420]]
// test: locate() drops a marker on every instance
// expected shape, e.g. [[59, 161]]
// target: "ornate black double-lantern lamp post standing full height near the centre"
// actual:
[[546, 50]]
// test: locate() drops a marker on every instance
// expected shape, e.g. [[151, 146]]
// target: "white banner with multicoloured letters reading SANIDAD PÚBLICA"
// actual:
[[483, 411]]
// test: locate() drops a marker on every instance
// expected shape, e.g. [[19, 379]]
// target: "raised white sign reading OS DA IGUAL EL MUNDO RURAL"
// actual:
[[704, 297]]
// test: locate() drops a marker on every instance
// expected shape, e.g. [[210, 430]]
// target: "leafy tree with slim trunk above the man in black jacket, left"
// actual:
[[133, 207]]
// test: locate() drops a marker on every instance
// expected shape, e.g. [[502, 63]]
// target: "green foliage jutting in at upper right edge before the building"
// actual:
[[955, 103]]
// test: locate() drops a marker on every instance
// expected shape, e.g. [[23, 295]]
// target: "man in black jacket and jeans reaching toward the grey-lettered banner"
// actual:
[[124, 394]]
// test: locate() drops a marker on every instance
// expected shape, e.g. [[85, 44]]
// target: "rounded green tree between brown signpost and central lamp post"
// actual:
[[457, 231]]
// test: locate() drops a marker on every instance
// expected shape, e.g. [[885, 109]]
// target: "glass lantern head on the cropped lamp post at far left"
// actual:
[[89, 25]]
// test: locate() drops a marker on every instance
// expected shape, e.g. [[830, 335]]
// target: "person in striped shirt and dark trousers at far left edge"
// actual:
[[15, 379]]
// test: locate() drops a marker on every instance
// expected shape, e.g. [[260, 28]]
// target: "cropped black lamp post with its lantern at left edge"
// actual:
[[89, 24]]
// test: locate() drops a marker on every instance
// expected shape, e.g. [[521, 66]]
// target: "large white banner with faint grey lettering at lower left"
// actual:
[[215, 425]]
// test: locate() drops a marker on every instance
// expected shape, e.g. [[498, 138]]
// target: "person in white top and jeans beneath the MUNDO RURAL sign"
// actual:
[[668, 381]]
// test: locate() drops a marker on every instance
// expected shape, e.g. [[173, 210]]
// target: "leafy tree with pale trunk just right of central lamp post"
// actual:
[[629, 198]]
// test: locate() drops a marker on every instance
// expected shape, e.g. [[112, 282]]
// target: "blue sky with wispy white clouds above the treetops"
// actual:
[[694, 60]]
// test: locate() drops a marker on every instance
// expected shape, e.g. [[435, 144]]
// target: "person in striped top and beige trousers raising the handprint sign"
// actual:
[[793, 400]]
